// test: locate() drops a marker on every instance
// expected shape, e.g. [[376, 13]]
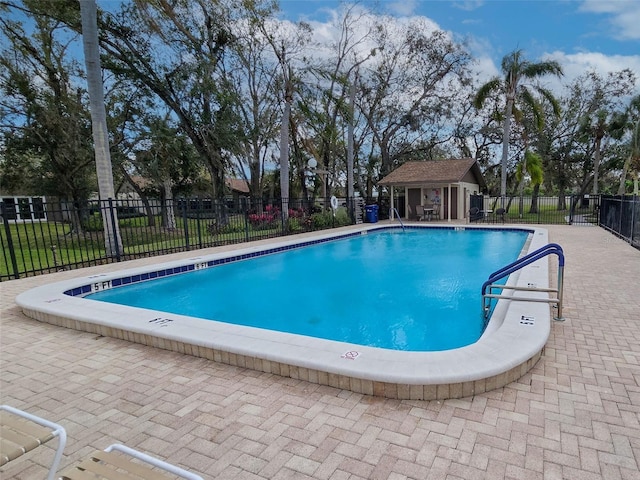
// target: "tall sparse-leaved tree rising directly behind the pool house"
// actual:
[[408, 91]]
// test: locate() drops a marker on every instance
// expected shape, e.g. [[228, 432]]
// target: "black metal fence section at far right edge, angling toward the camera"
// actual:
[[621, 216]]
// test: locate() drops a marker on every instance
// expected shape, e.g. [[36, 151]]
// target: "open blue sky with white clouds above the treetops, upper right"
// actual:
[[601, 35]]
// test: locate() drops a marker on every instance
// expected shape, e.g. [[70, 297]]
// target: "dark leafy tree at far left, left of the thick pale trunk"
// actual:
[[43, 115]]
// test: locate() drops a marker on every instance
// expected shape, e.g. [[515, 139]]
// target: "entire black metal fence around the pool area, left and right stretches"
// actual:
[[40, 237]]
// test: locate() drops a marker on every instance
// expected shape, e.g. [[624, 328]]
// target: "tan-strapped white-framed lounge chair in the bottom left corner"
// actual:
[[21, 432]]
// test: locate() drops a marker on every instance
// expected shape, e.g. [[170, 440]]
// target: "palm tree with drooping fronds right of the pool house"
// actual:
[[516, 69]]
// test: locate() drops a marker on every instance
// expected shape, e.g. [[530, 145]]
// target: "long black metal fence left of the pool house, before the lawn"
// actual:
[[42, 237]]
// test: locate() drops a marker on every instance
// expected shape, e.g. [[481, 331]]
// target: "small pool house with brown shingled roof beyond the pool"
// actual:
[[447, 184]]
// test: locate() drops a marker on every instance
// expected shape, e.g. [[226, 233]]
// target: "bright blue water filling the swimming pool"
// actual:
[[417, 290]]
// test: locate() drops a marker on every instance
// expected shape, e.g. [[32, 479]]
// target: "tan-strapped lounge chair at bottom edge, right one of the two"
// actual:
[[126, 464]]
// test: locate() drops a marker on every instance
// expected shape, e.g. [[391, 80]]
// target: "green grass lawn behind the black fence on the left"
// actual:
[[50, 246]]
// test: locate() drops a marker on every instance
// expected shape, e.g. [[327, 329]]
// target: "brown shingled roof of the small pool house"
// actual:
[[437, 171]]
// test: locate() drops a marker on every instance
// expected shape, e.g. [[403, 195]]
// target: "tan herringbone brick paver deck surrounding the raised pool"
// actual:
[[574, 415]]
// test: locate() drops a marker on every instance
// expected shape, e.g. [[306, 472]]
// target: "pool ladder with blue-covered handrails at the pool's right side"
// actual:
[[489, 286]]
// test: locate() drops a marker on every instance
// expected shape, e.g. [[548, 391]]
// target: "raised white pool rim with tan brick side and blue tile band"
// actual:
[[508, 348]]
